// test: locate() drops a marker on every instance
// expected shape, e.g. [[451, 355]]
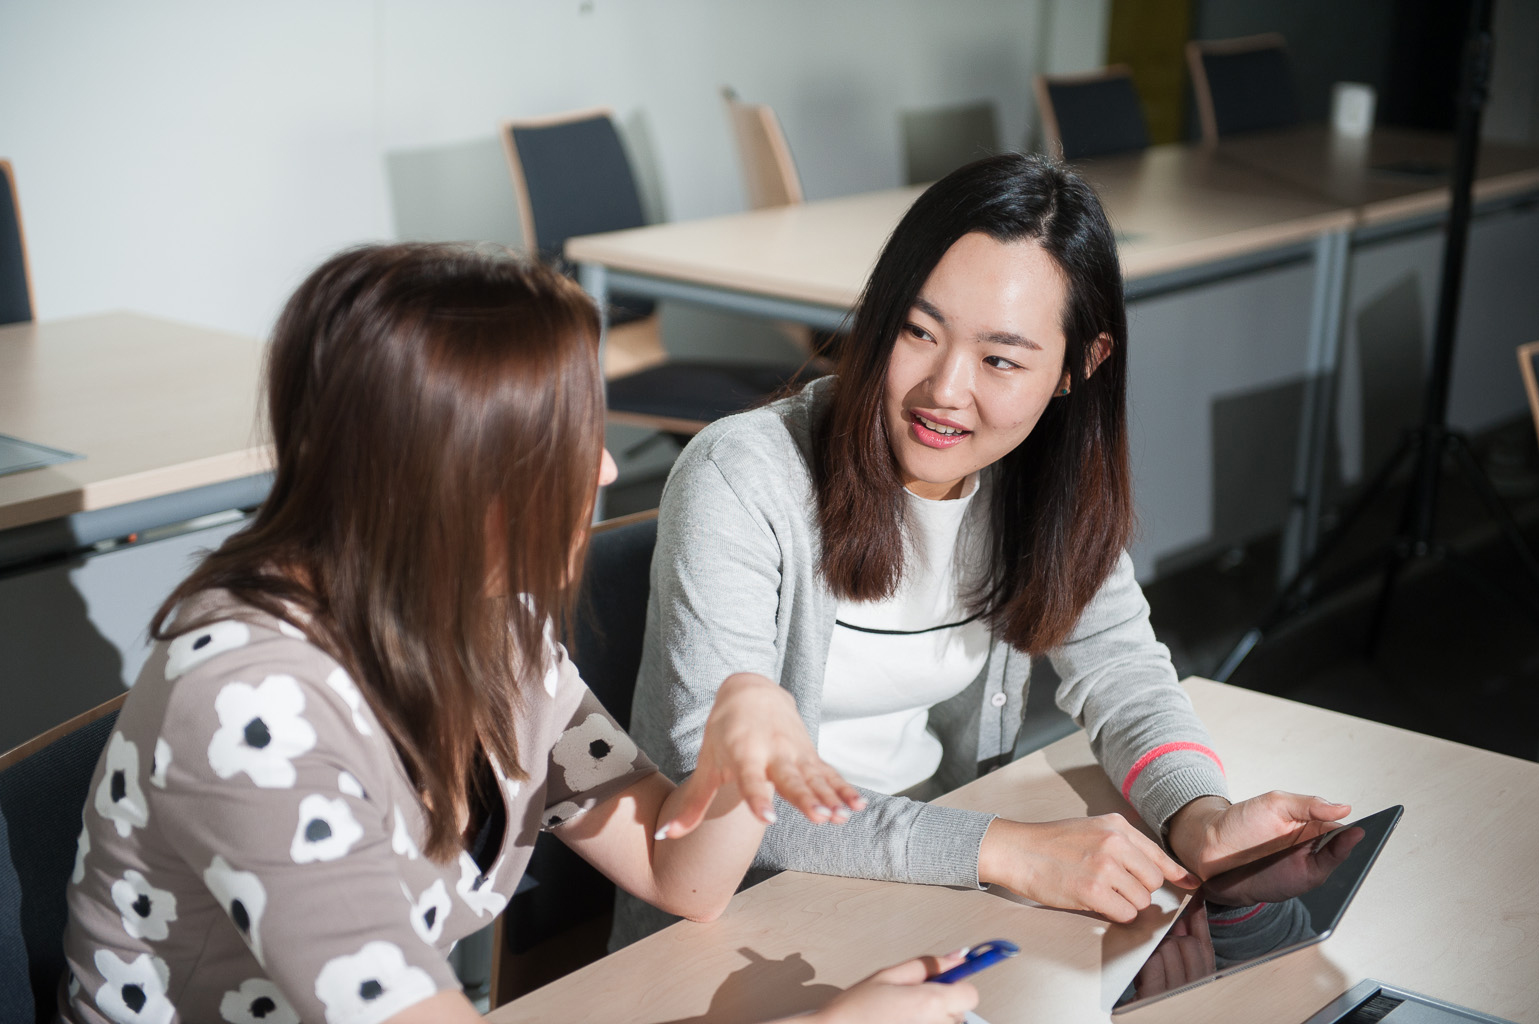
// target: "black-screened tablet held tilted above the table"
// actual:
[[1263, 911]]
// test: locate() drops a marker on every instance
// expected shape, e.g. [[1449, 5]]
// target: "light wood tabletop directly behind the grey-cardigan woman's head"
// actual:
[[1173, 207]]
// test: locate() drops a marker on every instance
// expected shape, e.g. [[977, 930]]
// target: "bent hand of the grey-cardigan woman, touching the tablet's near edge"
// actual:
[[1101, 865]]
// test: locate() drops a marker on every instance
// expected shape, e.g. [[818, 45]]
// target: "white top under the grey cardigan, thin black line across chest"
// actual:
[[880, 686]]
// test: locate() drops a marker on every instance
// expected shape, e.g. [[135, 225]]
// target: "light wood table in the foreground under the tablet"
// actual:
[[1452, 909]]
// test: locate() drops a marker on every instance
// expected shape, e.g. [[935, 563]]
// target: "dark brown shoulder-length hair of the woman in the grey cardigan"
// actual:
[[1063, 501]]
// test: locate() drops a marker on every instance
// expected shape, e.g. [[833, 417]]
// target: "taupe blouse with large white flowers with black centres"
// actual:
[[252, 846]]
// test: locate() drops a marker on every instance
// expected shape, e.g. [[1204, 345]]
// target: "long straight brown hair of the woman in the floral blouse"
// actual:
[[415, 393]]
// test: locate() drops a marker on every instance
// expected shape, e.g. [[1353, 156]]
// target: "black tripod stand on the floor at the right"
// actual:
[[1434, 440]]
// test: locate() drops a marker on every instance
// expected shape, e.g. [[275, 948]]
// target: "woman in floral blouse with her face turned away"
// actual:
[[356, 720]]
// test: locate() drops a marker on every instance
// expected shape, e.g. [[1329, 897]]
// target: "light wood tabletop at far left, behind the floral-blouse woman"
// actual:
[[155, 407]]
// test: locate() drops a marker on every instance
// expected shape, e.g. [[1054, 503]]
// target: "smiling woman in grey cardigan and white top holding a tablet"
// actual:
[[896, 543]]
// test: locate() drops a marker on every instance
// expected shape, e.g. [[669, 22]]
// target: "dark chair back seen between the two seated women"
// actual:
[[607, 649]]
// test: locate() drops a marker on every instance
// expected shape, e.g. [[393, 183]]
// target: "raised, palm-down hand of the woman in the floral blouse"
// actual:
[[756, 741]]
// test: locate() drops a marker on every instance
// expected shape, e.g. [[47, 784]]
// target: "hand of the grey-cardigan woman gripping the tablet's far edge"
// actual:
[[1210, 835]]
